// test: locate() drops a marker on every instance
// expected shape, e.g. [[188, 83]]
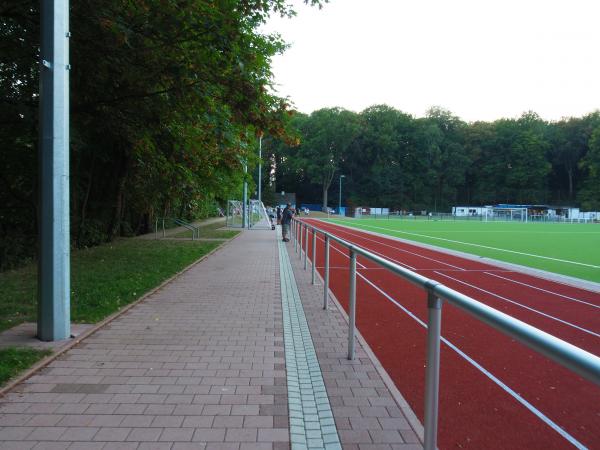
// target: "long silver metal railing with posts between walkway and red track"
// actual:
[[573, 358]]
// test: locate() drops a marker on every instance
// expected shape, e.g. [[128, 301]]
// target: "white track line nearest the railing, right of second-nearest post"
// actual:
[[487, 373]]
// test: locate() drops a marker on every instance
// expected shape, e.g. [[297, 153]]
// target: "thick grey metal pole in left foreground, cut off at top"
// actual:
[[54, 272]]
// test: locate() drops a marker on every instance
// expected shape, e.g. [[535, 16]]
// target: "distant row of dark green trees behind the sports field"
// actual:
[[392, 159]]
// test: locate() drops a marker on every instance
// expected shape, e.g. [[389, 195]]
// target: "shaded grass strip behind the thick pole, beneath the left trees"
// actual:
[[103, 279]]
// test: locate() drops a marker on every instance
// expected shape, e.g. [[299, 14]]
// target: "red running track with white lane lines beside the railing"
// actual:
[[494, 392]]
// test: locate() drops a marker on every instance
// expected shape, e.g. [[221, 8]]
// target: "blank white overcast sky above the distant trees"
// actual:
[[481, 59]]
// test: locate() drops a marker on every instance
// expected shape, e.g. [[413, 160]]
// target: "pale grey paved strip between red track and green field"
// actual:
[[551, 276]]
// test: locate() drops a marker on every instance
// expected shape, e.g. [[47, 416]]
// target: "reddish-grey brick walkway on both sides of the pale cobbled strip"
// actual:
[[200, 364]]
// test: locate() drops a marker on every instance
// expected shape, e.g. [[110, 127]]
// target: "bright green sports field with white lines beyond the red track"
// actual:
[[564, 248]]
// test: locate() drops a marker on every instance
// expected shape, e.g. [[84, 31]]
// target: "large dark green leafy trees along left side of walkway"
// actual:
[[167, 98]]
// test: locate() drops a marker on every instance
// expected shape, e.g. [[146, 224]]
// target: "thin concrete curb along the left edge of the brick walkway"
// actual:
[[47, 360]]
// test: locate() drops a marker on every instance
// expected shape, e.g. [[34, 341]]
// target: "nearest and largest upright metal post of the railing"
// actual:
[[432, 375]]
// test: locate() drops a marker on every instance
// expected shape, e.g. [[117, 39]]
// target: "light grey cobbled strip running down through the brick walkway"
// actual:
[[311, 420]]
